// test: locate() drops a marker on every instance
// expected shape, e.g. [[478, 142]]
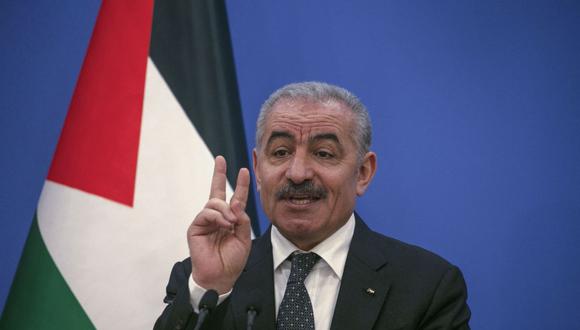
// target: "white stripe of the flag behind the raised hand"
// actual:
[[117, 259]]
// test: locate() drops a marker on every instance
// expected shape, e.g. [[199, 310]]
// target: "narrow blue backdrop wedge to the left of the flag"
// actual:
[[43, 47]]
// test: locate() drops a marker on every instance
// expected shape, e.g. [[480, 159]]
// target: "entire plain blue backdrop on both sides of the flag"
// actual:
[[476, 111]]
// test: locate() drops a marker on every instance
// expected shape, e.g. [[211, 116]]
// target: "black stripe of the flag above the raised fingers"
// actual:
[[191, 47]]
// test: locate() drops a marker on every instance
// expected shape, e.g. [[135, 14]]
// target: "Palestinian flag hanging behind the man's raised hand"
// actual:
[[155, 101]]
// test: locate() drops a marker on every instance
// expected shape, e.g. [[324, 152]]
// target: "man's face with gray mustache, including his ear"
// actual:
[[307, 169]]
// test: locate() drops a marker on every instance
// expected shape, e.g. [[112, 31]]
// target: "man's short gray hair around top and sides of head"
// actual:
[[313, 91]]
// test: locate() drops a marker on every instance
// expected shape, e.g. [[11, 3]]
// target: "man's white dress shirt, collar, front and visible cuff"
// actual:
[[323, 282]]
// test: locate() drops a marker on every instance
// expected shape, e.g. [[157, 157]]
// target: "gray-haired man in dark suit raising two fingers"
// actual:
[[318, 265]]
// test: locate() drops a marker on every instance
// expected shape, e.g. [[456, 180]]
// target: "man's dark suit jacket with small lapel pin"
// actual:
[[386, 284]]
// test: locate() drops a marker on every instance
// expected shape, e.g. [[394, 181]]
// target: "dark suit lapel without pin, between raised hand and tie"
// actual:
[[256, 287]]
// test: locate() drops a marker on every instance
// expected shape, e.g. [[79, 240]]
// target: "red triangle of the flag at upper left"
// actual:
[[98, 147]]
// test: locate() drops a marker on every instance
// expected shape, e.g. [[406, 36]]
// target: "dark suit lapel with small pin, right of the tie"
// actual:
[[363, 287]]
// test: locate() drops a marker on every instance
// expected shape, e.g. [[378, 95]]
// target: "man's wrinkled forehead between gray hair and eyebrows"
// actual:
[[304, 117]]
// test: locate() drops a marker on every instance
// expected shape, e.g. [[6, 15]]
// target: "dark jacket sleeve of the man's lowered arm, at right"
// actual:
[[448, 308]]
